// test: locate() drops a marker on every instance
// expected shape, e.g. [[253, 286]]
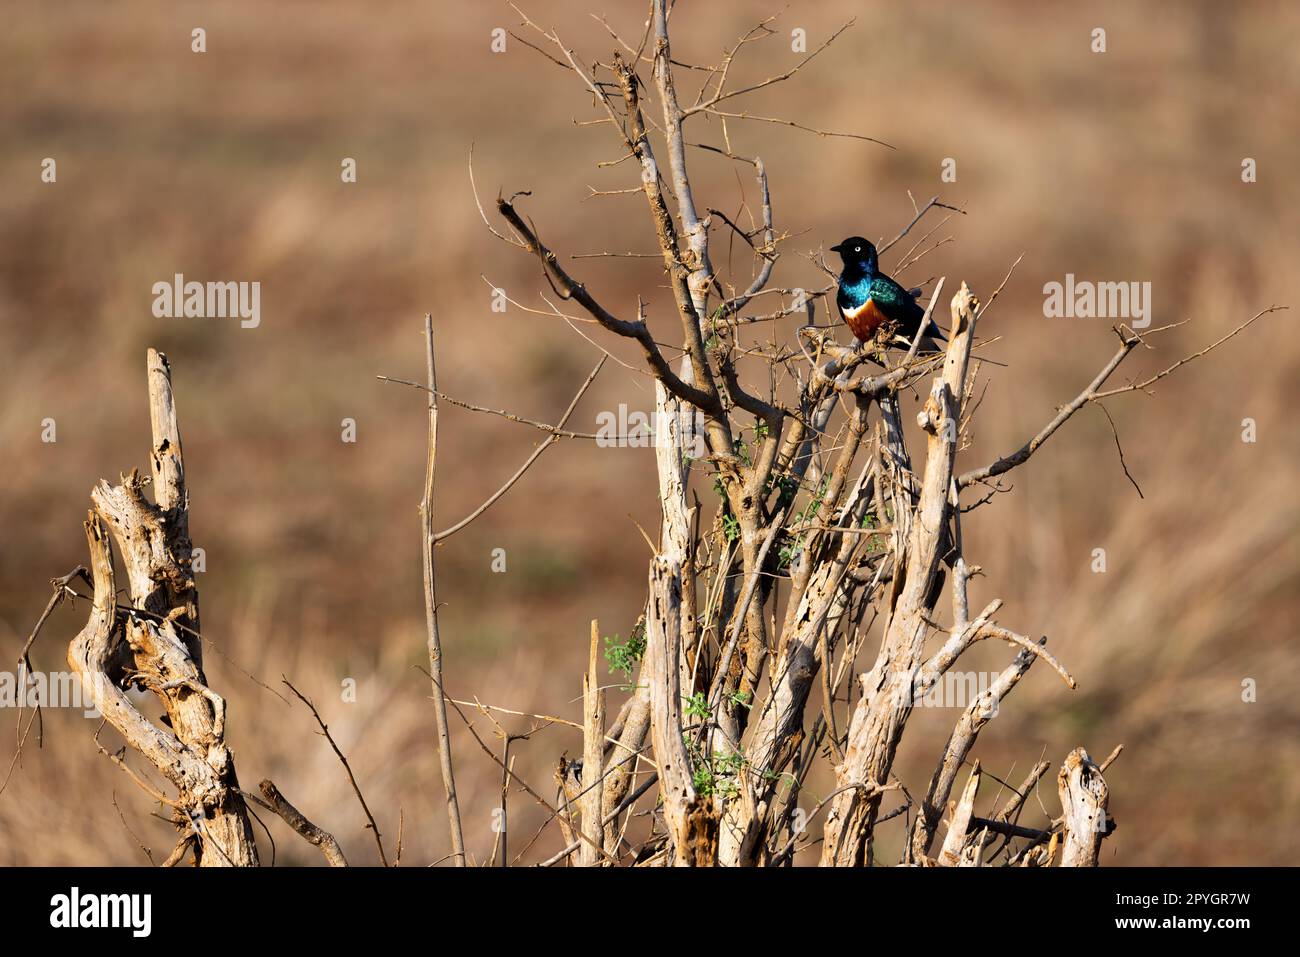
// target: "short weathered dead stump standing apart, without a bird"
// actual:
[[154, 643]]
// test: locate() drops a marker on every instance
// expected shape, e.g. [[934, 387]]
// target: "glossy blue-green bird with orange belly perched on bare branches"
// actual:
[[870, 300]]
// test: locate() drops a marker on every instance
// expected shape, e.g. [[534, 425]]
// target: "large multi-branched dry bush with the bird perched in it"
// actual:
[[829, 540]]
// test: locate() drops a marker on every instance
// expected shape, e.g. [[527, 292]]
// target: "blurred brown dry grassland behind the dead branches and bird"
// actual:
[[1124, 166]]
